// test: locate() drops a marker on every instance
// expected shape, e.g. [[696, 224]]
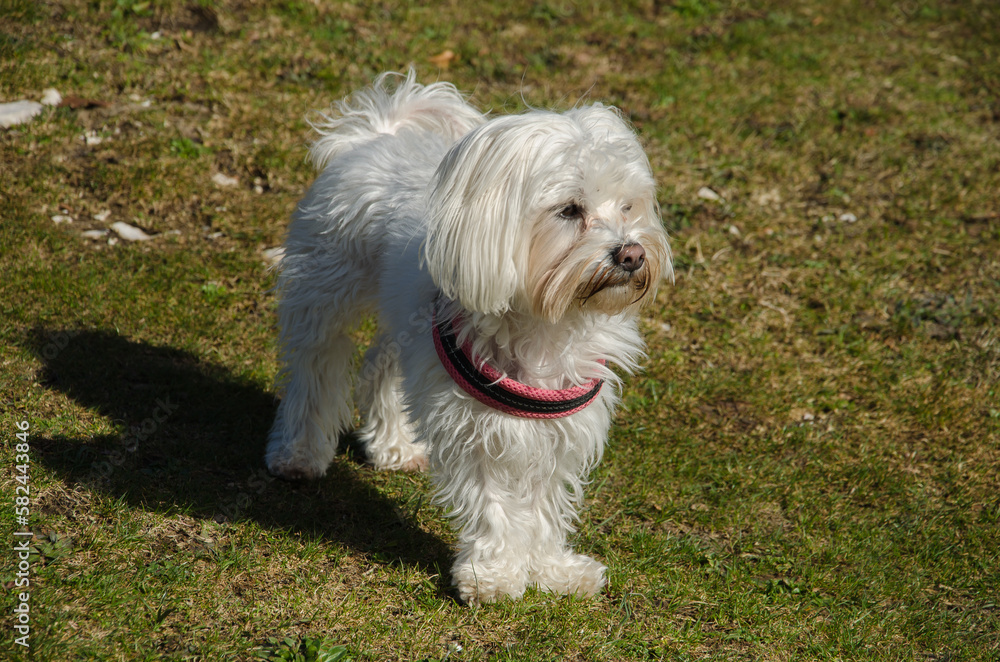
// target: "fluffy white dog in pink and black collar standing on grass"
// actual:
[[506, 259]]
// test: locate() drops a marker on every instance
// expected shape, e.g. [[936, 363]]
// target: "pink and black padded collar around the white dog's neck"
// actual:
[[486, 384]]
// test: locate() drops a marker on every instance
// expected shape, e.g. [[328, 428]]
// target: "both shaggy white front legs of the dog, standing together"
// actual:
[[513, 508]]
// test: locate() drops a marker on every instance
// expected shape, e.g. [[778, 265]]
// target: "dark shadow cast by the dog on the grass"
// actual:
[[192, 441]]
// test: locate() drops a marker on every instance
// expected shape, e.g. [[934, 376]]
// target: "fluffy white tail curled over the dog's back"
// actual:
[[393, 102]]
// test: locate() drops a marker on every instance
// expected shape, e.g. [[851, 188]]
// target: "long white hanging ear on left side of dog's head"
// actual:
[[475, 248]]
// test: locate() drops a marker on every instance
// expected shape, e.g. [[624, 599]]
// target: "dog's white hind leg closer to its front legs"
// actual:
[[388, 436]]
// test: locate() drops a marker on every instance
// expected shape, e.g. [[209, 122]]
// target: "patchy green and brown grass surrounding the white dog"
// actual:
[[808, 468]]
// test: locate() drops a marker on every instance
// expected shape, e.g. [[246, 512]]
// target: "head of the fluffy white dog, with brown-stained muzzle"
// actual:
[[542, 212]]
